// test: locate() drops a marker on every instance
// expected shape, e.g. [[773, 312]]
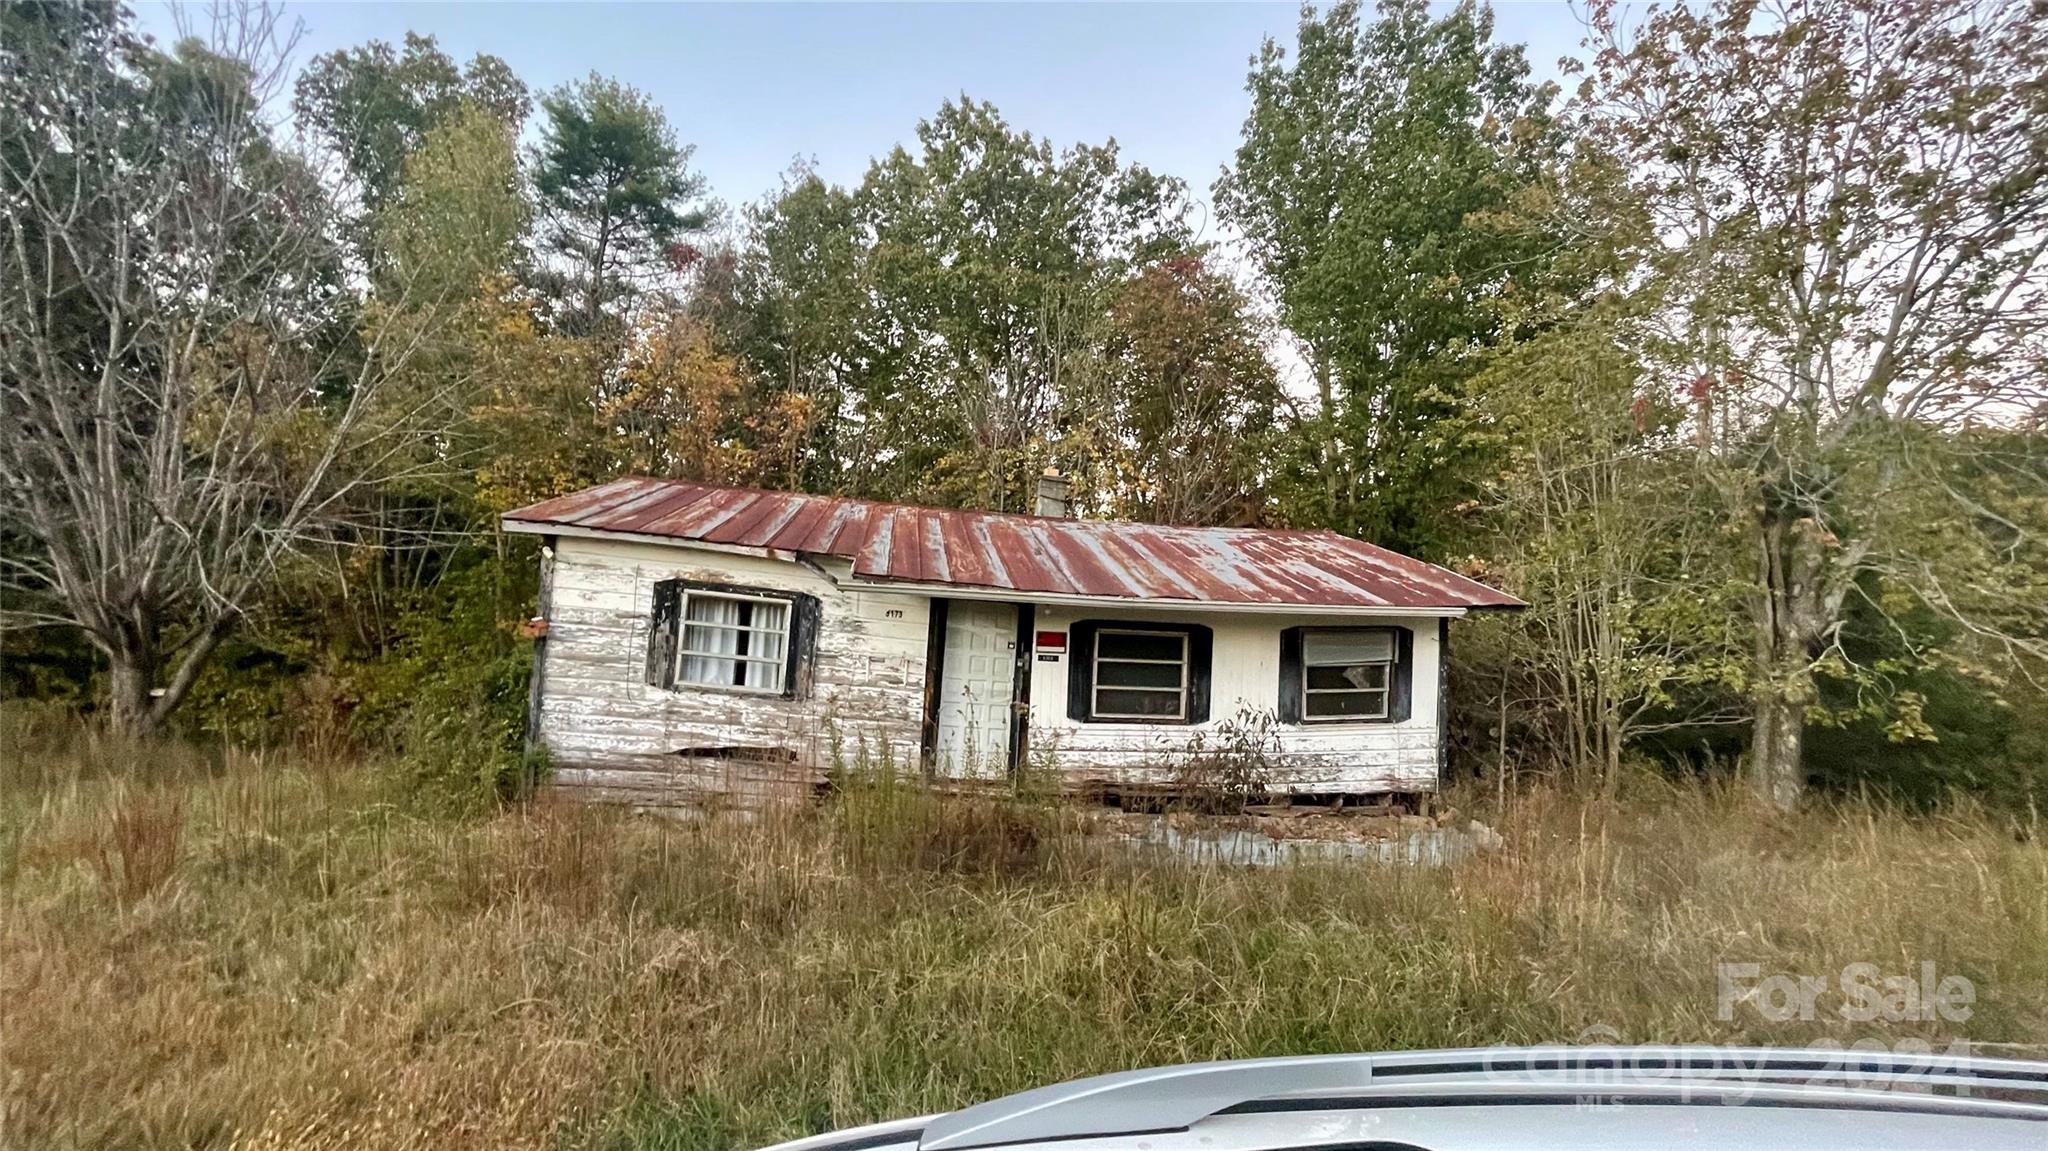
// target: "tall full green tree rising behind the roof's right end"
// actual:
[[1381, 187]]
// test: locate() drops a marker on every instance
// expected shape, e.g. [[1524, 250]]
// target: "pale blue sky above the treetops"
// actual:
[[759, 85]]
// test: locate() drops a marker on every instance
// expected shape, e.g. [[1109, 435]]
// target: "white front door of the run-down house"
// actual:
[[976, 685]]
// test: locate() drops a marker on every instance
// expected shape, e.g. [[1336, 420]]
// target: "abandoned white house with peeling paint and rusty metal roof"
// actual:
[[712, 640]]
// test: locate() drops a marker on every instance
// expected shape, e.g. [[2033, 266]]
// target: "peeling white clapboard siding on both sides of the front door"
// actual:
[[615, 738]]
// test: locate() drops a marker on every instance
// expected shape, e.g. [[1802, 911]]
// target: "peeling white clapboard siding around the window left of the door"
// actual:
[[613, 736]]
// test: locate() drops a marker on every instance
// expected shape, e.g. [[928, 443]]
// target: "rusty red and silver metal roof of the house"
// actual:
[[1025, 554]]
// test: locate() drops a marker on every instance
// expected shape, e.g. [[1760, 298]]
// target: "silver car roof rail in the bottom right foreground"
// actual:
[[1172, 1099]]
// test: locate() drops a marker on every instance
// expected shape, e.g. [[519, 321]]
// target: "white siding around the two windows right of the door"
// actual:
[[1244, 673]]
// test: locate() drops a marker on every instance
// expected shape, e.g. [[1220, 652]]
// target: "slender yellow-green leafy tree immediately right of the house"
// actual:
[[1603, 519]]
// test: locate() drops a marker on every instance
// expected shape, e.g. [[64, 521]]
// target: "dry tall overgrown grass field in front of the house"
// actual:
[[249, 951]]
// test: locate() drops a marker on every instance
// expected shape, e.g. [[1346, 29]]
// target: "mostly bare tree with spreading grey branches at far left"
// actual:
[[183, 419]]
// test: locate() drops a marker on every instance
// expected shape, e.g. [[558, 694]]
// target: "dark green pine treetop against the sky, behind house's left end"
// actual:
[[617, 200]]
